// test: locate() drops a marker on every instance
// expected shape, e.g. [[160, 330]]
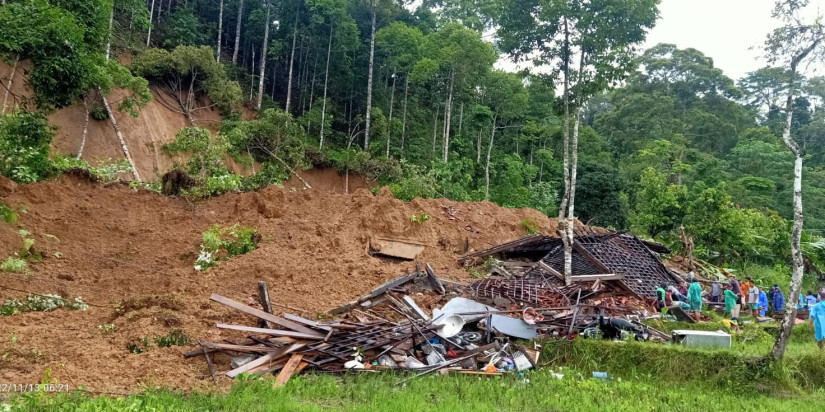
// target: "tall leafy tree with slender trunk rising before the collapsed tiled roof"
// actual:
[[589, 44]]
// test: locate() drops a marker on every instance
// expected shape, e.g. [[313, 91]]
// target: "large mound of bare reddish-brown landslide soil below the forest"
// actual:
[[130, 255]]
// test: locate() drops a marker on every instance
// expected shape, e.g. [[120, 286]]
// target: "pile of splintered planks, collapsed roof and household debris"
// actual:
[[423, 323]]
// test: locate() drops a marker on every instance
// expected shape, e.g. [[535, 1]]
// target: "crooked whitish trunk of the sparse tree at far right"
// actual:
[[778, 350]]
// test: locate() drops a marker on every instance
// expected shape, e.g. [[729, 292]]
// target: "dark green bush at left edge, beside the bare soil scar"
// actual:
[[25, 139]]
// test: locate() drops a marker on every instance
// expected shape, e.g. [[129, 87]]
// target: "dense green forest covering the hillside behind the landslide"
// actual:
[[410, 95]]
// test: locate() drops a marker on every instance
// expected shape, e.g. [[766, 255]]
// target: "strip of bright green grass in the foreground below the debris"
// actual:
[[381, 392]]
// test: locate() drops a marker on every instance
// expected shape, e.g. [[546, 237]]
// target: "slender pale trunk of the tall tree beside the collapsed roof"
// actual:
[[562, 222]]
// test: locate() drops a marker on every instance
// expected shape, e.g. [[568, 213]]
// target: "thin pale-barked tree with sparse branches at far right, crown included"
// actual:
[[794, 43]]
